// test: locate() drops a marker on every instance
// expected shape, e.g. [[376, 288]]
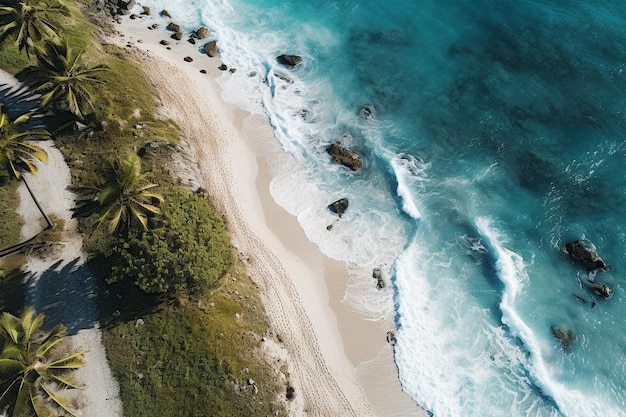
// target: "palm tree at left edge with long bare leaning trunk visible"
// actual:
[[17, 155]]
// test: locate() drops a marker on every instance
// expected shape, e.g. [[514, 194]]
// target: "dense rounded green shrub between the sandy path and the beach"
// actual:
[[186, 249]]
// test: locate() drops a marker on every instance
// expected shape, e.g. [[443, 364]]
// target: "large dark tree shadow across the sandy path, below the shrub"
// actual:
[[77, 295]]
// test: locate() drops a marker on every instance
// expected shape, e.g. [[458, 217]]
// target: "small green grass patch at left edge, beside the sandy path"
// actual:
[[10, 222]]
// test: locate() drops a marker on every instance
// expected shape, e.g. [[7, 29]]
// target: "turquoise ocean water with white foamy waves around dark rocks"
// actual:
[[497, 137]]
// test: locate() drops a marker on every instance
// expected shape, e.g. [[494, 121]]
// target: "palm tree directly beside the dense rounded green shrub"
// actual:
[[123, 197]]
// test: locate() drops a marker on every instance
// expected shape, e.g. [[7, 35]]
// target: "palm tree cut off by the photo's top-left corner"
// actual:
[[28, 20]]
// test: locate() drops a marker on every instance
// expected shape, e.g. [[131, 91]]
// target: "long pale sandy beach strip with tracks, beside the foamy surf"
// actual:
[[342, 362]]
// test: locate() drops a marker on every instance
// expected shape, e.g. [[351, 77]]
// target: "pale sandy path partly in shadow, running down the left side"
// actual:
[[62, 287]]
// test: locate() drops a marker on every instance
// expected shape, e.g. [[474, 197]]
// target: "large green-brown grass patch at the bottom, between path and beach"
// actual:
[[196, 357]]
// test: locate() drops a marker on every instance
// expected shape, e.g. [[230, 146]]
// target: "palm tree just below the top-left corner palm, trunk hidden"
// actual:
[[64, 82]]
